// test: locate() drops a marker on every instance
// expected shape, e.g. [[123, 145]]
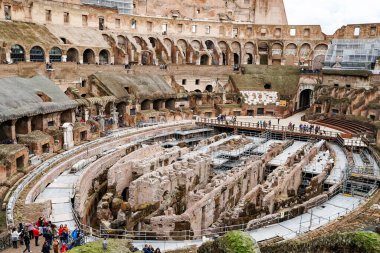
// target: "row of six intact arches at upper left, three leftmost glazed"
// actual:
[[37, 54]]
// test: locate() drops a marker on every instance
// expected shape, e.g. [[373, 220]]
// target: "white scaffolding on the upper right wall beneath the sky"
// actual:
[[353, 53]]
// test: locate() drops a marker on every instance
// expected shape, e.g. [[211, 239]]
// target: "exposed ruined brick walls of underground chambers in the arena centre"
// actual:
[[180, 192]]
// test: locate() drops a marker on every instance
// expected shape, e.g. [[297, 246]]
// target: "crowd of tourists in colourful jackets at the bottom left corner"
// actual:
[[57, 239]]
